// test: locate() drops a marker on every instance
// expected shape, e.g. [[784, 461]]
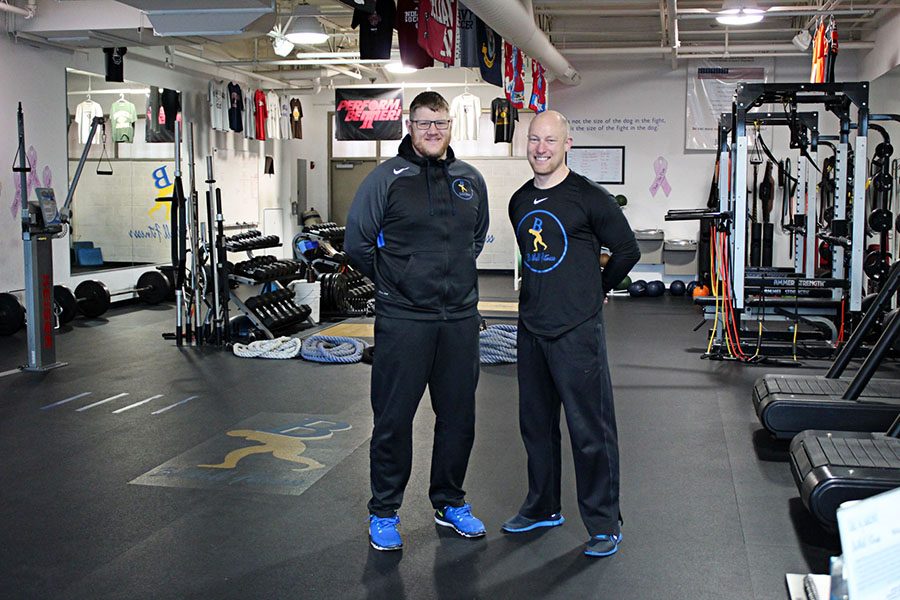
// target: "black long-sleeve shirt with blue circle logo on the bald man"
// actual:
[[559, 232]]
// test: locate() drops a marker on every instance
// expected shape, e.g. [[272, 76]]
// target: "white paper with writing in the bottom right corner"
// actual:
[[870, 538]]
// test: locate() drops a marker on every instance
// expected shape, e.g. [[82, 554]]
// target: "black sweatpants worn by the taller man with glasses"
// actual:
[[409, 355]]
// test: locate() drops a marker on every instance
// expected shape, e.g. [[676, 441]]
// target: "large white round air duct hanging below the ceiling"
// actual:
[[511, 20]]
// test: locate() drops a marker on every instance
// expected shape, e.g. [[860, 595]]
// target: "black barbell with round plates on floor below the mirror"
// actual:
[[92, 298]]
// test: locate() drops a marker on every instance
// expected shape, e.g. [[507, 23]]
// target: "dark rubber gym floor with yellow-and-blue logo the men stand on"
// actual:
[[104, 495]]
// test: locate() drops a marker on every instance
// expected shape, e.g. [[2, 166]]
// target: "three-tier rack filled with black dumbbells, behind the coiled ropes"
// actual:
[[269, 311]]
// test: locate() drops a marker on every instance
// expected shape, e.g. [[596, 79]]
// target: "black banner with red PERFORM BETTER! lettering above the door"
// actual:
[[369, 114]]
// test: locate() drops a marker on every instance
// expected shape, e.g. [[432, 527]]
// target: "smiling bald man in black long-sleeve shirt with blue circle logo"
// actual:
[[561, 220]]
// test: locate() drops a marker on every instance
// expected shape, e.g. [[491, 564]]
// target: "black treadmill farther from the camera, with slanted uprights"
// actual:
[[789, 404]]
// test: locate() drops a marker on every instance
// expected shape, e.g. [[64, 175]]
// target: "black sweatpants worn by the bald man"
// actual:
[[571, 371]]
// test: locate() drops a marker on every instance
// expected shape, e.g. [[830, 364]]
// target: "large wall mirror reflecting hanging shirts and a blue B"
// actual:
[[123, 219]]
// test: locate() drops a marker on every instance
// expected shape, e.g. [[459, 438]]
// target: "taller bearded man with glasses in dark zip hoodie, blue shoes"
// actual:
[[416, 226]]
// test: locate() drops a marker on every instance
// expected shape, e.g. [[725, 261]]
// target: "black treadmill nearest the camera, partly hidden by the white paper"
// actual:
[[830, 468]]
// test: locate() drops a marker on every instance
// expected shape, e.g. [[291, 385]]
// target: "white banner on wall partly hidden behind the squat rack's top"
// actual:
[[710, 92]]
